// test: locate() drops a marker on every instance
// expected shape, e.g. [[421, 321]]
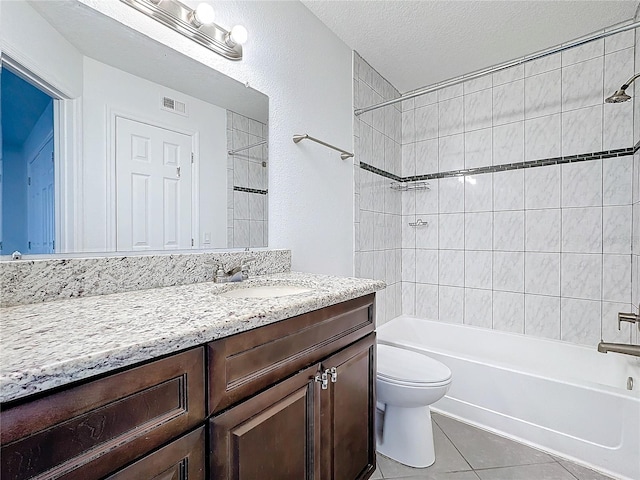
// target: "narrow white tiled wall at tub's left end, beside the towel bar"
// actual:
[[378, 208]]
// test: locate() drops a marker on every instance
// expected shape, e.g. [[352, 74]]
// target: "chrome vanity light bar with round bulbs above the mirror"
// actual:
[[196, 24]]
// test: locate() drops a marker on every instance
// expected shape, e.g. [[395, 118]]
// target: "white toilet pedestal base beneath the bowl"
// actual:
[[407, 436]]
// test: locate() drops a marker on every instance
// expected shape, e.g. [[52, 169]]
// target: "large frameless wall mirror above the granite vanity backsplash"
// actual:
[[113, 142]]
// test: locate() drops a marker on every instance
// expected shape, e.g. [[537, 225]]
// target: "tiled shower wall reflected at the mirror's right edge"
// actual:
[[246, 183]]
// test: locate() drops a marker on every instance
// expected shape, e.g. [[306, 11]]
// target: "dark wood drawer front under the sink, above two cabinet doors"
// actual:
[[248, 362]]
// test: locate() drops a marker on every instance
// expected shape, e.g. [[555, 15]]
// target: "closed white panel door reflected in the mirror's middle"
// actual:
[[154, 196]]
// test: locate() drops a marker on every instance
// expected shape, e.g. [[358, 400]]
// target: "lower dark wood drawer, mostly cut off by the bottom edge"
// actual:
[[182, 459]]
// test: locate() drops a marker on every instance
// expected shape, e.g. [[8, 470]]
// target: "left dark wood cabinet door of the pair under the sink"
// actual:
[[273, 435]]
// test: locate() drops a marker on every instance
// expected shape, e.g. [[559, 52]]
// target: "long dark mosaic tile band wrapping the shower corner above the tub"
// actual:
[[621, 152]]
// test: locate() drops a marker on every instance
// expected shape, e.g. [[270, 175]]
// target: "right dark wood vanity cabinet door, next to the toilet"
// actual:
[[348, 449]]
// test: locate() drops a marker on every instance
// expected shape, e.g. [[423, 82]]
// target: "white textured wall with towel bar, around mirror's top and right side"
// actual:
[[306, 72]]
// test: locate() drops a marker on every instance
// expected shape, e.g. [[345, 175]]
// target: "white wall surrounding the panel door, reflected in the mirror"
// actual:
[[109, 91]]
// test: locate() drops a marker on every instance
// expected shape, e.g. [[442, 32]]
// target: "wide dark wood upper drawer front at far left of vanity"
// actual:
[[91, 430]]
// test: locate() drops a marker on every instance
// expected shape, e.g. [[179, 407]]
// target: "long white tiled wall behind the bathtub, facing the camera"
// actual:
[[545, 250]]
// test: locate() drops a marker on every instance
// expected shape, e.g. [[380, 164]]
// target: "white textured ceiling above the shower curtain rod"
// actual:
[[418, 43]]
